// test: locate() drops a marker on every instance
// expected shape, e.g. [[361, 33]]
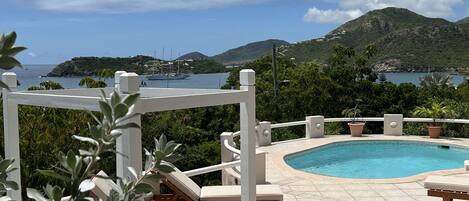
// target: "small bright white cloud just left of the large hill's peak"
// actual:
[[328, 16]]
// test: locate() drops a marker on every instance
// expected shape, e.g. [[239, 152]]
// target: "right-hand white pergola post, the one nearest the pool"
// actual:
[[247, 79]]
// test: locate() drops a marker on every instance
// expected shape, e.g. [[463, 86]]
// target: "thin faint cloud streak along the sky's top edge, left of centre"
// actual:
[[129, 6]]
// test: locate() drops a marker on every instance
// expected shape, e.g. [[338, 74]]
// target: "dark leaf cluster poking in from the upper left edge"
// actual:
[[8, 51]]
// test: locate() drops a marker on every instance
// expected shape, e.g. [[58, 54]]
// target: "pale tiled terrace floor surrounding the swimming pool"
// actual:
[[299, 186]]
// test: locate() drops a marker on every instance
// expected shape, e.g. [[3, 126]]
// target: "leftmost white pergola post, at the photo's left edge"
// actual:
[[11, 133]]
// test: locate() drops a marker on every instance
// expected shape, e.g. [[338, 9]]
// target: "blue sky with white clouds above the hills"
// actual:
[[57, 30]]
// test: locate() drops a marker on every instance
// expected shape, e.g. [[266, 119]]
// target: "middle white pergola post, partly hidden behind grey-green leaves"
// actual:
[[129, 145]]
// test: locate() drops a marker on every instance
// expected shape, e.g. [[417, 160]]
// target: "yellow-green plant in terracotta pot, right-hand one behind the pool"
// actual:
[[435, 111]]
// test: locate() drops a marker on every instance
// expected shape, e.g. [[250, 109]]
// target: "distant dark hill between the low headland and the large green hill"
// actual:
[[247, 52]]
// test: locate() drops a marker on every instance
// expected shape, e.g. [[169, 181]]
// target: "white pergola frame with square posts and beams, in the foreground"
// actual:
[[151, 100]]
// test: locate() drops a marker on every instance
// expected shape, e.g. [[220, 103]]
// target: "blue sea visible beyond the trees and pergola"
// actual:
[[32, 75]]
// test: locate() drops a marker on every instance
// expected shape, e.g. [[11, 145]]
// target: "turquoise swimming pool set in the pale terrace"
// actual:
[[378, 159]]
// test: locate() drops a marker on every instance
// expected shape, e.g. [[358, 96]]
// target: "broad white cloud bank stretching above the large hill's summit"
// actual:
[[429, 8]]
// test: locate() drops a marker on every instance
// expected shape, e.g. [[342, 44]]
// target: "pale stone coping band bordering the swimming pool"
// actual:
[[299, 145]]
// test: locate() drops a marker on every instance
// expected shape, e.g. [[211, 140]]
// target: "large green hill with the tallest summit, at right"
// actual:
[[406, 41]]
